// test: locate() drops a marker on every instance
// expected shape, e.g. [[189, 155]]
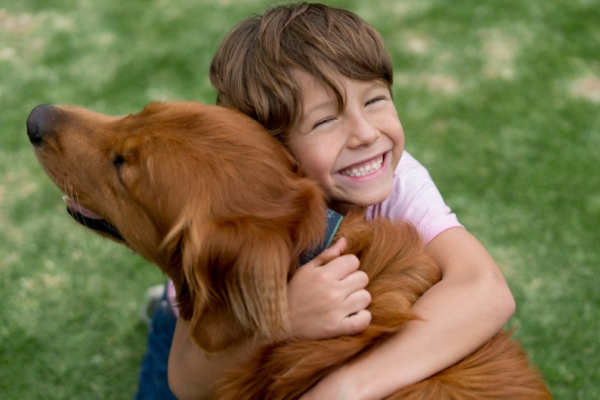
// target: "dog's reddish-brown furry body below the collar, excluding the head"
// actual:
[[391, 253]]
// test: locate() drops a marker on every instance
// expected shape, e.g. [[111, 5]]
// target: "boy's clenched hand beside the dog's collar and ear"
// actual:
[[327, 296]]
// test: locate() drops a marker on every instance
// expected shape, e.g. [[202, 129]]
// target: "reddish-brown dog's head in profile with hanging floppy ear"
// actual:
[[202, 191]]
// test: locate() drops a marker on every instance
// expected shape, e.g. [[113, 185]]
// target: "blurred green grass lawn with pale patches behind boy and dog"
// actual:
[[500, 100]]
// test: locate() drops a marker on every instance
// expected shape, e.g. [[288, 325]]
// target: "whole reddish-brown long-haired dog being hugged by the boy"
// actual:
[[205, 193]]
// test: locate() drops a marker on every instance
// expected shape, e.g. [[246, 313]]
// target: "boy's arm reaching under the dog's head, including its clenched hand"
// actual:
[[327, 298]]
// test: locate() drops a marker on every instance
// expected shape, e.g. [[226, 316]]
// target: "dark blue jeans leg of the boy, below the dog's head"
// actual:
[[153, 381]]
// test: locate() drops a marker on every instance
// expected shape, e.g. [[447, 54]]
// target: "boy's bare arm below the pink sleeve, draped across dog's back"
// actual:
[[466, 308]]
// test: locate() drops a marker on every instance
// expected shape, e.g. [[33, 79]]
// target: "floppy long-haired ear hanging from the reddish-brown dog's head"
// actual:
[[237, 273]]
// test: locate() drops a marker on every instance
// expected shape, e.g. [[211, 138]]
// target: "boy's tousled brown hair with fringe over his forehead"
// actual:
[[253, 68]]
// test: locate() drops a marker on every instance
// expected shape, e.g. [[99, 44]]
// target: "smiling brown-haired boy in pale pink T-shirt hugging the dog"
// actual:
[[319, 79]]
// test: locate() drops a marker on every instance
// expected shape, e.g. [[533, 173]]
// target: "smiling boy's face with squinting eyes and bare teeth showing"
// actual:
[[352, 154]]
